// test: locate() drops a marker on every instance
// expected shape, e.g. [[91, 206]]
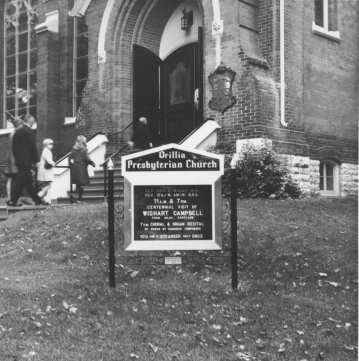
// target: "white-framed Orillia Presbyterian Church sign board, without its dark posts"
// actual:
[[172, 199]]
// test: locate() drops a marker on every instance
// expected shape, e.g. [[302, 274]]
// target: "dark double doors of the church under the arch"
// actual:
[[168, 92]]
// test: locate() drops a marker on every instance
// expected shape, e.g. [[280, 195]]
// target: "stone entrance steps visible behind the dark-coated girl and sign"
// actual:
[[94, 192]]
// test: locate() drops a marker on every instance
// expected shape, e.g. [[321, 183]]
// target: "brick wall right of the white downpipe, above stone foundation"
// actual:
[[322, 79]]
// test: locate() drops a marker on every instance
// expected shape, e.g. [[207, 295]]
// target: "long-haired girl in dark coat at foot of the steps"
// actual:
[[79, 160]]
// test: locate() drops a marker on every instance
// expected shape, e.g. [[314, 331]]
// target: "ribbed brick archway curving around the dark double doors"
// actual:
[[142, 23]]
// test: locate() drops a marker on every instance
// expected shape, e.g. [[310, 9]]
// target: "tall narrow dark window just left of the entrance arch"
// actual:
[[80, 62]]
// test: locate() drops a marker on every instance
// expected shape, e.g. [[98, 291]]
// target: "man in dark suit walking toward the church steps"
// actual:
[[26, 157]]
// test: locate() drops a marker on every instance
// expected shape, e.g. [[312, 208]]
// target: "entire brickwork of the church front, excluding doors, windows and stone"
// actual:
[[321, 74]]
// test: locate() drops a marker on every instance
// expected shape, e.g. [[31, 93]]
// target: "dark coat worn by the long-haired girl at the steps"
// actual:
[[79, 160]]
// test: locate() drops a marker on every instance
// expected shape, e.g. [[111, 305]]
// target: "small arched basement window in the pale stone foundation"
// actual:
[[329, 178]]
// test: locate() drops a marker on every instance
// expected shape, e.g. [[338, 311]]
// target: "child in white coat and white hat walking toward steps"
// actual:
[[45, 173]]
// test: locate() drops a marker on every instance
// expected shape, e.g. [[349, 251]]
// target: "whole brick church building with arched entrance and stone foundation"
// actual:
[[279, 73]]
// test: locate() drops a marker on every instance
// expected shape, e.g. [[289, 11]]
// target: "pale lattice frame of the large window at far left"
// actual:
[[21, 8]]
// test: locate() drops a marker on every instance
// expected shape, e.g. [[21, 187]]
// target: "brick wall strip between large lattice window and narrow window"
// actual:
[[54, 70]]
